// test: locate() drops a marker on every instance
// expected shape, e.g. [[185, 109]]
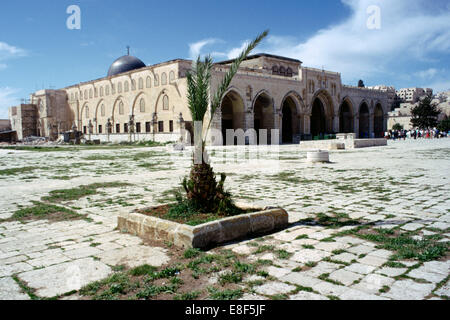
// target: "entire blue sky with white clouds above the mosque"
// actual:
[[411, 47]]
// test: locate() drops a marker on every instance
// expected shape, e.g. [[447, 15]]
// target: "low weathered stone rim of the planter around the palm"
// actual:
[[204, 235]]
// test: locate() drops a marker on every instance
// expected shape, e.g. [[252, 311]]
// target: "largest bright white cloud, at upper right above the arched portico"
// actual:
[[407, 32]]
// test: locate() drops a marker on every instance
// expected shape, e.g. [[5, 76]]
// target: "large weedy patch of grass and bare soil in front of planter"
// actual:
[[186, 277]]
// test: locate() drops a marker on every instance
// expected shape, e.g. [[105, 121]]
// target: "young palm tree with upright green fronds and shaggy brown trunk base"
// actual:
[[203, 191]]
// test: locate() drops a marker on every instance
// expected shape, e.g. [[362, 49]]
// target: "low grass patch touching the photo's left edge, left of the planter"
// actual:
[[45, 211]]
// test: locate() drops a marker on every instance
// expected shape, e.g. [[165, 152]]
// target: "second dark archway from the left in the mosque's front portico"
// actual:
[[263, 115]]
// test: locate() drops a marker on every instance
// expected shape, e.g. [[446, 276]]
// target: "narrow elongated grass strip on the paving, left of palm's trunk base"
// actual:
[[81, 191]]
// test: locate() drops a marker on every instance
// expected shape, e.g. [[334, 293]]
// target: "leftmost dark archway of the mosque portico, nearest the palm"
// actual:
[[232, 113]]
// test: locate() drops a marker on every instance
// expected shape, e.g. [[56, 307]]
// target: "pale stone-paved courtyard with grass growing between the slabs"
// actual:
[[402, 189]]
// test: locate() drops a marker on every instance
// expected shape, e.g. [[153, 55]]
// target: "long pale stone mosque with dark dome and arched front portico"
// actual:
[[140, 102]]
